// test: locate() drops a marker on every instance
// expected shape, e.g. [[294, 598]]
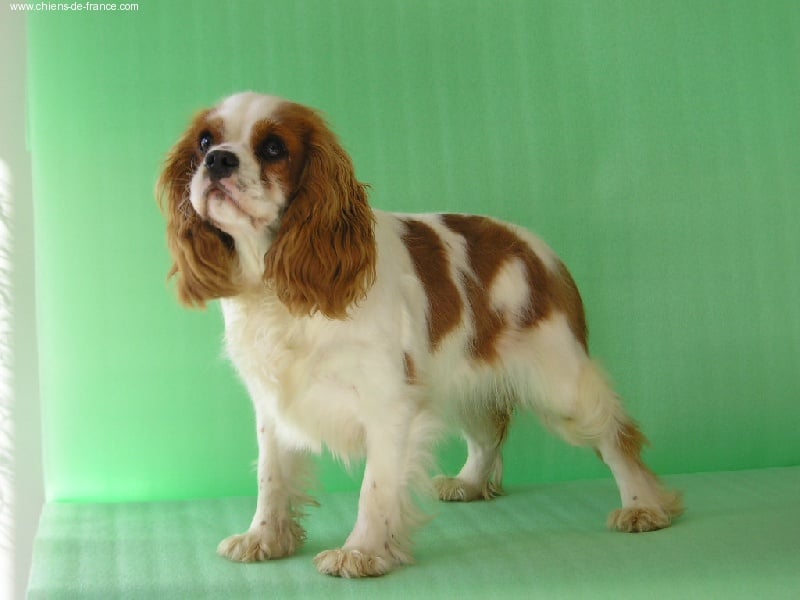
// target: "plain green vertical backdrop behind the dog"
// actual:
[[655, 145]]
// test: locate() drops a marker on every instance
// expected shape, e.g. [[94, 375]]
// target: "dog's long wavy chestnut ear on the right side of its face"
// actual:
[[323, 257]]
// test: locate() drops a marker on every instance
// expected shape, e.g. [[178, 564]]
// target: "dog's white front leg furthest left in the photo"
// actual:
[[275, 531]]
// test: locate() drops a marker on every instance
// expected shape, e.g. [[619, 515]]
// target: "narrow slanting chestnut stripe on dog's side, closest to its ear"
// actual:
[[432, 265]]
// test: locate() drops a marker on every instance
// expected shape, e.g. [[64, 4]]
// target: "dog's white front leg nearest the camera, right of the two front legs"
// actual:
[[380, 540]]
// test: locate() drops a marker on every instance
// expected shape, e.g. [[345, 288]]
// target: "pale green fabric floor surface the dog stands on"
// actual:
[[739, 539]]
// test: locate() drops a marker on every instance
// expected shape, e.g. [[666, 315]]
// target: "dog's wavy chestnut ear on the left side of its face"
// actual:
[[205, 264]]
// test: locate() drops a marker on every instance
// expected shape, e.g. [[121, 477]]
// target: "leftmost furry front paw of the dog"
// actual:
[[262, 544]]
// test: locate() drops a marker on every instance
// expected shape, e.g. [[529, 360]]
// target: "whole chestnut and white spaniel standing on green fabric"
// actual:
[[365, 331]]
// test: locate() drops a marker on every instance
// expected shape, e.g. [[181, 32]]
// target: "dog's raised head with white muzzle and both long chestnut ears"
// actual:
[[259, 192]]
